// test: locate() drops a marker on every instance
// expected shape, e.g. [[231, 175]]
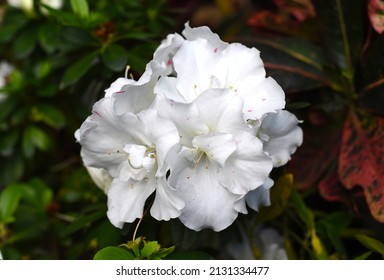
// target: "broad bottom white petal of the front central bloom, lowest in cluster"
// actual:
[[207, 203]]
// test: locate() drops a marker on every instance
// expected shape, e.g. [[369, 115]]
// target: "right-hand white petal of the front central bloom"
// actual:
[[248, 167]]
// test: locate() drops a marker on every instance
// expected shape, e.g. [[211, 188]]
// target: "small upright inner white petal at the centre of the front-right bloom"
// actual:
[[217, 146]]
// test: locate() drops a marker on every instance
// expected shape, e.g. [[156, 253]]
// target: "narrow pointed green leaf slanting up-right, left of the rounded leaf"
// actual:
[[77, 70]]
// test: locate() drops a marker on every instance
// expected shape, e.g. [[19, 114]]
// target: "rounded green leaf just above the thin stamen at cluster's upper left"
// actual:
[[115, 57]]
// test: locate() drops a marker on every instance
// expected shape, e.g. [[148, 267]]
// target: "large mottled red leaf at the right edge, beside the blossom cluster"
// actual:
[[361, 160]]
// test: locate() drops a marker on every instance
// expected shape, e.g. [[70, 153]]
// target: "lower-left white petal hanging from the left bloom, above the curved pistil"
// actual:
[[126, 200]]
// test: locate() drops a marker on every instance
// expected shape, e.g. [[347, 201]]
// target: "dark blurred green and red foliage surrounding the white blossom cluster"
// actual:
[[326, 54]]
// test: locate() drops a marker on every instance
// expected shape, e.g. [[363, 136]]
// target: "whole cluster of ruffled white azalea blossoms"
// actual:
[[200, 130]]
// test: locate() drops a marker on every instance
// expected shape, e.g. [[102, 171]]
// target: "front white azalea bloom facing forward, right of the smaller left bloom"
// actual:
[[220, 160]]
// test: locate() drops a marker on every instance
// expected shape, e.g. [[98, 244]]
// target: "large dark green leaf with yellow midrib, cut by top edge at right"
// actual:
[[341, 25]]
